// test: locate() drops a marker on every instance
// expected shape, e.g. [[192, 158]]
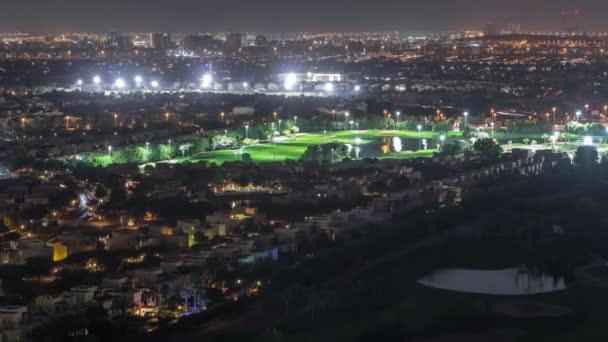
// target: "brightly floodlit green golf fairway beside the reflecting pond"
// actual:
[[293, 147]]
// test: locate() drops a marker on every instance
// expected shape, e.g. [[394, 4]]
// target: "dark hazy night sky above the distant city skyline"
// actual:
[[296, 15]]
